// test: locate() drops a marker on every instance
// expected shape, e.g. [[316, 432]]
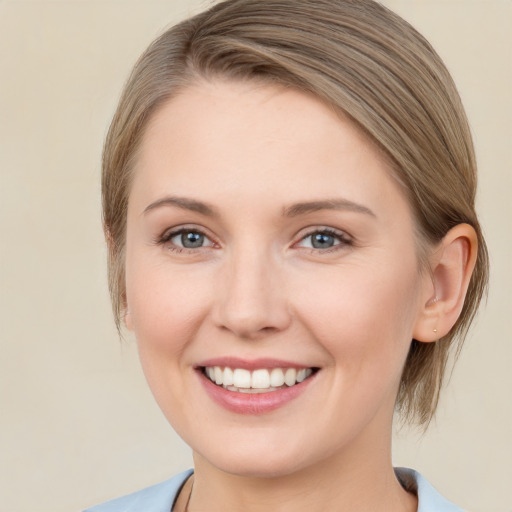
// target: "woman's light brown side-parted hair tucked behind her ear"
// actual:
[[364, 61]]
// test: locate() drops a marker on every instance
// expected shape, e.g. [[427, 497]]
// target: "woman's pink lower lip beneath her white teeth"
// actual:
[[252, 403]]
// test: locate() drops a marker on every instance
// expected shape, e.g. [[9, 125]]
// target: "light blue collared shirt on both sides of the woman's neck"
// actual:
[[161, 497]]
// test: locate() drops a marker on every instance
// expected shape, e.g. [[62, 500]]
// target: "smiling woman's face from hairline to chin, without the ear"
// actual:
[[267, 236]]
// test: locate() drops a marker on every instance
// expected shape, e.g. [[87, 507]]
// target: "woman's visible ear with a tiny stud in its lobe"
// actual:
[[451, 264]]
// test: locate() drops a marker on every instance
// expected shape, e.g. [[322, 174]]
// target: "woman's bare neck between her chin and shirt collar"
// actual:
[[360, 479]]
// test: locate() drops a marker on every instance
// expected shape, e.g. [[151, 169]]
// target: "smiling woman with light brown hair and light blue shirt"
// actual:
[[288, 192]]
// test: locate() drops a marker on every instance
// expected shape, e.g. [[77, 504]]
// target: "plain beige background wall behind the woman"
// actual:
[[78, 424]]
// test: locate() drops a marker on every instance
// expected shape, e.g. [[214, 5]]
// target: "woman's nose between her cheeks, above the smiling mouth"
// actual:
[[252, 301]]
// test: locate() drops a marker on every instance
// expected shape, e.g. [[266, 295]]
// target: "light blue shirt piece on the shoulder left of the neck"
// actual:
[[157, 498]]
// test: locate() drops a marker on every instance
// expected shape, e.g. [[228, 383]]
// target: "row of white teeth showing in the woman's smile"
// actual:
[[261, 380]]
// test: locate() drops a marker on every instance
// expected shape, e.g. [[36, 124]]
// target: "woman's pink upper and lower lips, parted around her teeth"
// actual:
[[248, 403]]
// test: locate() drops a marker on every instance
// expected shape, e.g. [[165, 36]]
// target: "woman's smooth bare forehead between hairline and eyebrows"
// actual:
[[246, 139]]
